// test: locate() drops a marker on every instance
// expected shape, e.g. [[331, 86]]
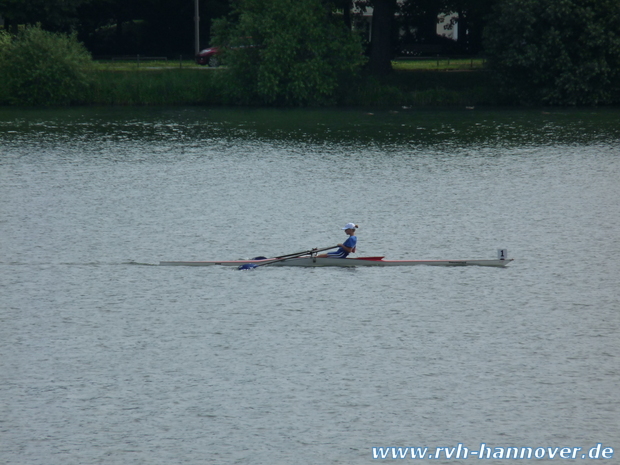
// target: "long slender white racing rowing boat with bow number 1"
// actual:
[[363, 261]]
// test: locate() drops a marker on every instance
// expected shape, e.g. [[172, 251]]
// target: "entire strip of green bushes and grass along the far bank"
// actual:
[[290, 53]]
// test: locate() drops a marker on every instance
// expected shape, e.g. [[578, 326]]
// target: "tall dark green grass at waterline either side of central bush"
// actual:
[[198, 87]]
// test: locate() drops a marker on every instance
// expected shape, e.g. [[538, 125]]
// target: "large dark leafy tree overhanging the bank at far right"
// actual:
[[558, 52]]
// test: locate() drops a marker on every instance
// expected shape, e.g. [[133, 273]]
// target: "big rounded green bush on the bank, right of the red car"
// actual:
[[286, 52]]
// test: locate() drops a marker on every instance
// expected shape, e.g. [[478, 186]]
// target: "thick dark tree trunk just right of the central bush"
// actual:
[[381, 36]]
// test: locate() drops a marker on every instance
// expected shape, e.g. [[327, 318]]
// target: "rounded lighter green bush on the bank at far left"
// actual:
[[44, 68]]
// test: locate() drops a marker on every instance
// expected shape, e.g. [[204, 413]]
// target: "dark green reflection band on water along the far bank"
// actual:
[[456, 127]]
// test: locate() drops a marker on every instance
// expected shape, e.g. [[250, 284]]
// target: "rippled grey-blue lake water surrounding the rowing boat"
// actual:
[[106, 358]]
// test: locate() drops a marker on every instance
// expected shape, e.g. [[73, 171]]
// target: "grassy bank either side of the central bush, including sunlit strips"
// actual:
[[430, 82]]
